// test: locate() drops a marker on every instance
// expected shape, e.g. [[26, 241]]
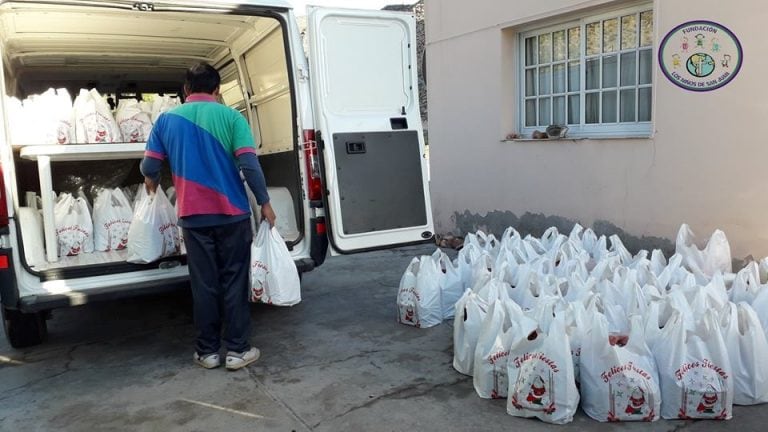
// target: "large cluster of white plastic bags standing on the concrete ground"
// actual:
[[553, 322]]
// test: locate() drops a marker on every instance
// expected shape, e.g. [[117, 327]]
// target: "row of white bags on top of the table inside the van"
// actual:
[[53, 118]]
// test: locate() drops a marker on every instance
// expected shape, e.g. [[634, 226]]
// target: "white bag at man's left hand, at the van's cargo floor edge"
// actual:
[[153, 233]]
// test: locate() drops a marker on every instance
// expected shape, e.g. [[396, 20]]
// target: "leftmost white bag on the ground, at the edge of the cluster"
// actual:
[[418, 296]]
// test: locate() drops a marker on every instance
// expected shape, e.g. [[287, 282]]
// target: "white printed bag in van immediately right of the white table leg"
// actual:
[[74, 227]]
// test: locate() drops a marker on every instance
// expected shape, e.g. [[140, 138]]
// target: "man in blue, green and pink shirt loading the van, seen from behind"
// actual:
[[207, 146]]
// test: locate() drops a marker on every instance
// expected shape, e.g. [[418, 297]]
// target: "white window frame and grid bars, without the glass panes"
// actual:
[[583, 129]]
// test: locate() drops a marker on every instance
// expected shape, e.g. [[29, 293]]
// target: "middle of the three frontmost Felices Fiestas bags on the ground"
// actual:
[[618, 383]]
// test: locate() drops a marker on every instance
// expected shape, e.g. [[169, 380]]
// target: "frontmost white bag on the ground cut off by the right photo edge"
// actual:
[[748, 349]]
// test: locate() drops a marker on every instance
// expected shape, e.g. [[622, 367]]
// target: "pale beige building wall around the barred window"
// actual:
[[705, 164]]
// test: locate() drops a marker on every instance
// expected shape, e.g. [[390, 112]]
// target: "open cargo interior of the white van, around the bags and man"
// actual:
[[140, 51]]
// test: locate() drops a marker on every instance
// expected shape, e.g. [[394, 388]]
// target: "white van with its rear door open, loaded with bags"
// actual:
[[340, 134]]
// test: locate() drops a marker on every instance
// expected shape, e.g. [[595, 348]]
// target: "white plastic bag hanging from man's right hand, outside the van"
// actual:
[[274, 277]]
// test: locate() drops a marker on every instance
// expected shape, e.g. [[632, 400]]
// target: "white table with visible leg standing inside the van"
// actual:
[[45, 154]]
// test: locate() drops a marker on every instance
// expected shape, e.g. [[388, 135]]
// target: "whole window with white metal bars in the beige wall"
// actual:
[[594, 75]]
